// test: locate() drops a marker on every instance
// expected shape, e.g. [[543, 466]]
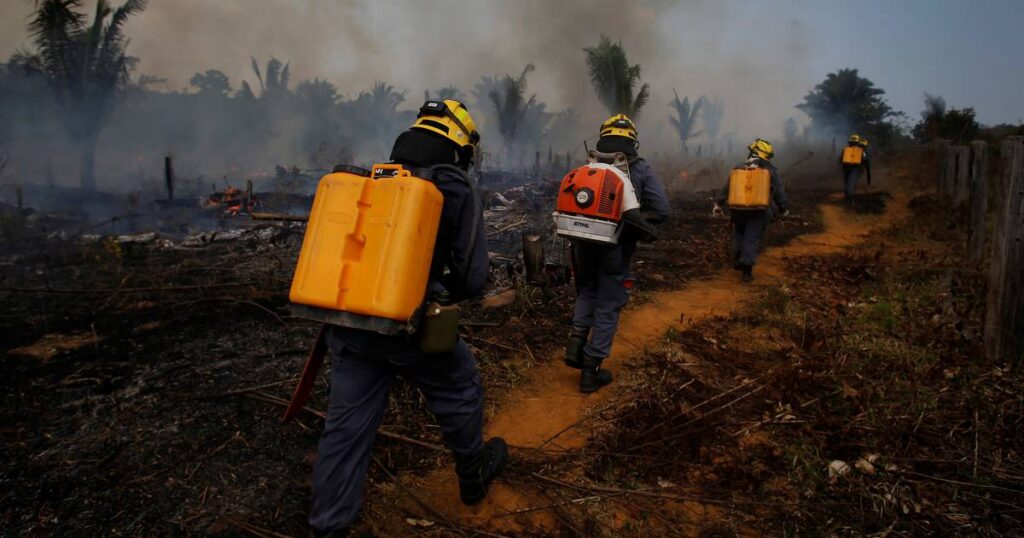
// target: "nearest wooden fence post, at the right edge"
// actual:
[[1005, 314]]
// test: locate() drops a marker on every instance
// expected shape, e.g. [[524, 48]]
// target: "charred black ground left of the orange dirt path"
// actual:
[[158, 412]]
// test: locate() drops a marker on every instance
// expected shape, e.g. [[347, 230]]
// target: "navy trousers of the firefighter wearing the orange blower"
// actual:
[[602, 272]]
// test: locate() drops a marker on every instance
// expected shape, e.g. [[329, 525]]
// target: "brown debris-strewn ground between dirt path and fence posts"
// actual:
[[851, 400]]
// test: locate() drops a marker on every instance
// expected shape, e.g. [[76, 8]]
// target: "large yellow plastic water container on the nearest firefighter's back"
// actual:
[[367, 253]]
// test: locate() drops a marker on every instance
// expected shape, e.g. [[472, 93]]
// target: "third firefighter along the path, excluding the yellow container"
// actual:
[[750, 225]]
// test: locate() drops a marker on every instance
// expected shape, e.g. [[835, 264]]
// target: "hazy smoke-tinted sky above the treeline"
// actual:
[[761, 56]]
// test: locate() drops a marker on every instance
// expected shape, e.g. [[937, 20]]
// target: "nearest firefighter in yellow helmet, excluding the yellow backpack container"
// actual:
[[364, 364]]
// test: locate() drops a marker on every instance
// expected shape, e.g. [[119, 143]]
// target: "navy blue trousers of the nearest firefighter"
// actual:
[[363, 367]]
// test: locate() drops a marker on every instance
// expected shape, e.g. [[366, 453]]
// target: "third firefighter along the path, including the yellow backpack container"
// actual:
[[753, 194]]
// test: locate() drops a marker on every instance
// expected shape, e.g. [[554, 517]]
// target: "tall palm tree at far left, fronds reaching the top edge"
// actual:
[[86, 66]]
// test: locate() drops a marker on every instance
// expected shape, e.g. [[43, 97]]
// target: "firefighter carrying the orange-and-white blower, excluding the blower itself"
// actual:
[[603, 272]]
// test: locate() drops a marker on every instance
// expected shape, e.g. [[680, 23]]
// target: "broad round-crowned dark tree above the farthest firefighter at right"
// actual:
[[845, 103]]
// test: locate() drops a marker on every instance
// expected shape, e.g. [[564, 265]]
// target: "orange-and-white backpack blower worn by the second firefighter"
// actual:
[[596, 200]]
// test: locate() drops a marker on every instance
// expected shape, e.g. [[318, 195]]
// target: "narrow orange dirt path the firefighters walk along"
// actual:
[[548, 411]]
